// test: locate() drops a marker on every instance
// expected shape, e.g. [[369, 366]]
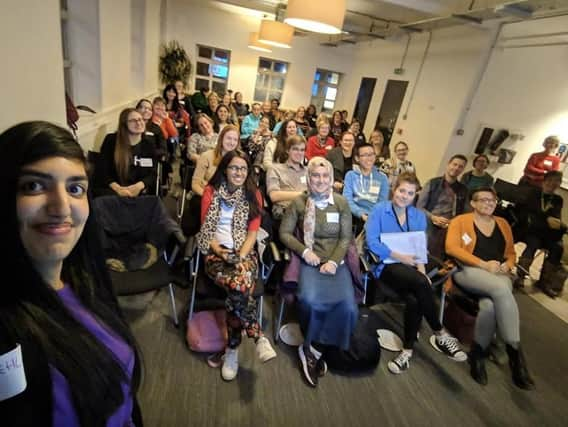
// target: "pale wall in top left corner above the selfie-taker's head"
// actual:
[[32, 68]]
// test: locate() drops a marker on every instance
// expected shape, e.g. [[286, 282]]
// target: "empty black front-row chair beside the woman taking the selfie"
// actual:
[[128, 227]]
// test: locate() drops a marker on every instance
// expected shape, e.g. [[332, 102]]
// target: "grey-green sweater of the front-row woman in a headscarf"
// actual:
[[332, 233]]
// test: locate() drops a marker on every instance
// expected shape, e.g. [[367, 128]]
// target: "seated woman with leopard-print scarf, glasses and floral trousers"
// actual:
[[230, 217]]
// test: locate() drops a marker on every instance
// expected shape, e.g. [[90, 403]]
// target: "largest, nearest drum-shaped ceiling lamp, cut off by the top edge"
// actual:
[[319, 16]]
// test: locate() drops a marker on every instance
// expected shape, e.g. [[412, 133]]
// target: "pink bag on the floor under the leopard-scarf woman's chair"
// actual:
[[207, 331]]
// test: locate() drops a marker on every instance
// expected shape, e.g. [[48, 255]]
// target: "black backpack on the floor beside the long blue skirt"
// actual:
[[364, 351]]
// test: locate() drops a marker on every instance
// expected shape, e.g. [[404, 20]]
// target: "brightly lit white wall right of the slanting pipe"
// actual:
[[523, 90]]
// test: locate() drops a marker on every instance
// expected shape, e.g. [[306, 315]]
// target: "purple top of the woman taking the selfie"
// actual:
[[64, 414]]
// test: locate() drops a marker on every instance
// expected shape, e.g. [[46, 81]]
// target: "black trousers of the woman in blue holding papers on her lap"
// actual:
[[414, 287]]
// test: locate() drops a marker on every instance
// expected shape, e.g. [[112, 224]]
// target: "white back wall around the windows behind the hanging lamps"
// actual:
[[194, 22]]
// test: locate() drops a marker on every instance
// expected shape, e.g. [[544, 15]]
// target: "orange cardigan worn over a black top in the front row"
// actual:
[[461, 240]]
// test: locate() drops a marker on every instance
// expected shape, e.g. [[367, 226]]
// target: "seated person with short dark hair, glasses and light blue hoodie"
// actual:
[[365, 186]]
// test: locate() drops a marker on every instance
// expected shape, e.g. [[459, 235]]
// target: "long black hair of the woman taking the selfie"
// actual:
[[30, 310]]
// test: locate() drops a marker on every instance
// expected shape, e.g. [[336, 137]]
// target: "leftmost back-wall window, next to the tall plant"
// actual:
[[212, 69]]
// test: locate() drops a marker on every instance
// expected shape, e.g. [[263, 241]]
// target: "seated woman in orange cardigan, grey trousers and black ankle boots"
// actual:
[[484, 243]]
